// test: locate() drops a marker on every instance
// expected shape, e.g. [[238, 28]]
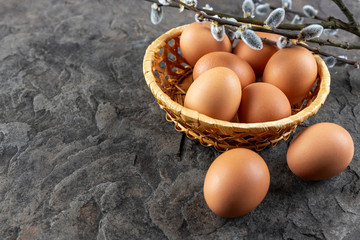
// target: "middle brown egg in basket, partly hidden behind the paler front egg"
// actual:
[[224, 59]]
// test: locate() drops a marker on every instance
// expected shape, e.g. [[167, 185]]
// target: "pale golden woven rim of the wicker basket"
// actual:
[[195, 116]]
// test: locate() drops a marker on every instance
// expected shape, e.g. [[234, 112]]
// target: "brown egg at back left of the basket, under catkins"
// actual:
[[196, 40]]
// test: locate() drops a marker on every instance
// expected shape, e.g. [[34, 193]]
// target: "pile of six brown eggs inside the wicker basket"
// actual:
[[243, 84]]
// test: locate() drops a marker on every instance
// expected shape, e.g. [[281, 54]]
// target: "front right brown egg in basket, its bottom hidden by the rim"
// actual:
[[263, 102]]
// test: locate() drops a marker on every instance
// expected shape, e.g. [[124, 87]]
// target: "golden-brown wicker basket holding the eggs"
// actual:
[[168, 77]]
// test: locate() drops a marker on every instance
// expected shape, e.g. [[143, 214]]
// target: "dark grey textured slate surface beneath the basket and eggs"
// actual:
[[86, 153]]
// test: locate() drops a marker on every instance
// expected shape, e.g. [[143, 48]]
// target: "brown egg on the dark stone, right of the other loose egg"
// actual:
[[320, 151]]
